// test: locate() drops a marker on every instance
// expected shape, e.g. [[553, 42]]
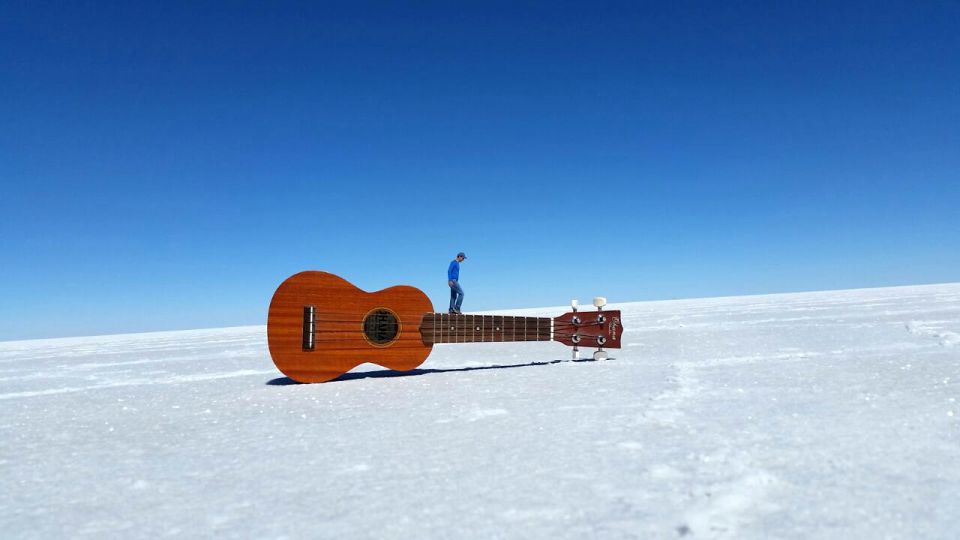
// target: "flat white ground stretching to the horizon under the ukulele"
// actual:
[[814, 415]]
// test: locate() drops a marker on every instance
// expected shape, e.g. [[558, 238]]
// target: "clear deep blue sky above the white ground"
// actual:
[[165, 165]]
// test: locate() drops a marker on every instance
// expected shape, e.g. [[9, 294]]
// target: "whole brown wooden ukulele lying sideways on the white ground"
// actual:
[[320, 326]]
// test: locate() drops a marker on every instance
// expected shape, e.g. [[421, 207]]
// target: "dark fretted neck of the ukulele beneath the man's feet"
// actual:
[[450, 328]]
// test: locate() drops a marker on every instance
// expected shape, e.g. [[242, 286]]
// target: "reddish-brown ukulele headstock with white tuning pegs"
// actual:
[[600, 329]]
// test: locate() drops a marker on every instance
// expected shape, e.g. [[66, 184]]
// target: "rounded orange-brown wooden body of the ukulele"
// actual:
[[320, 326]]
